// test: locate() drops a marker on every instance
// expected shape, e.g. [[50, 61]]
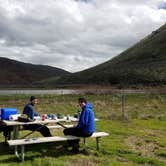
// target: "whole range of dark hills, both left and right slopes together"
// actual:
[[144, 64]]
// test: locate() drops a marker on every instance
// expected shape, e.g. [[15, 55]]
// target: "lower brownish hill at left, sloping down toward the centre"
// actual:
[[18, 74]]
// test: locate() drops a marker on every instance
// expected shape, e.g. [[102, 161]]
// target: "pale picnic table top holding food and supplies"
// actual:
[[16, 123]]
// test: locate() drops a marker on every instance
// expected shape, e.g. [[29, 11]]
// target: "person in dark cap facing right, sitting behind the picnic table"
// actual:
[[31, 113]]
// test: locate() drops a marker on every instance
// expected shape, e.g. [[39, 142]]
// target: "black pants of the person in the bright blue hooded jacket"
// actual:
[[75, 132]]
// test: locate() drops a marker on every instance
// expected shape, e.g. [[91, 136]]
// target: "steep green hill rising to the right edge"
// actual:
[[142, 64]]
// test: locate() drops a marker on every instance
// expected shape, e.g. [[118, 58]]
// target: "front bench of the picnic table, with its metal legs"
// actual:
[[23, 142]]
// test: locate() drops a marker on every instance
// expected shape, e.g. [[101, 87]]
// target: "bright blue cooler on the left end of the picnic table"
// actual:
[[6, 112]]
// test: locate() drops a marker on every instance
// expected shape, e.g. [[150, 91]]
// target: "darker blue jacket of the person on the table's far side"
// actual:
[[29, 110]]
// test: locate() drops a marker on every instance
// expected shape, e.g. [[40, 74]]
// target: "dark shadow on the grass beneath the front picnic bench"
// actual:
[[43, 150]]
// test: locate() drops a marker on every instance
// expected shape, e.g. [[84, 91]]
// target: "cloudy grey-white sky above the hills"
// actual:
[[75, 34]]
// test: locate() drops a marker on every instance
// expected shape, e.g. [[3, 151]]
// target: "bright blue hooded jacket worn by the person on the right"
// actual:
[[86, 121]]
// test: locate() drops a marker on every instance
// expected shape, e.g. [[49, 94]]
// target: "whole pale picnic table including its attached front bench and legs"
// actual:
[[22, 142]]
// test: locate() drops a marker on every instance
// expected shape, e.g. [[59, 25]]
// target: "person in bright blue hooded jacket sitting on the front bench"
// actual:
[[85, 126]]
